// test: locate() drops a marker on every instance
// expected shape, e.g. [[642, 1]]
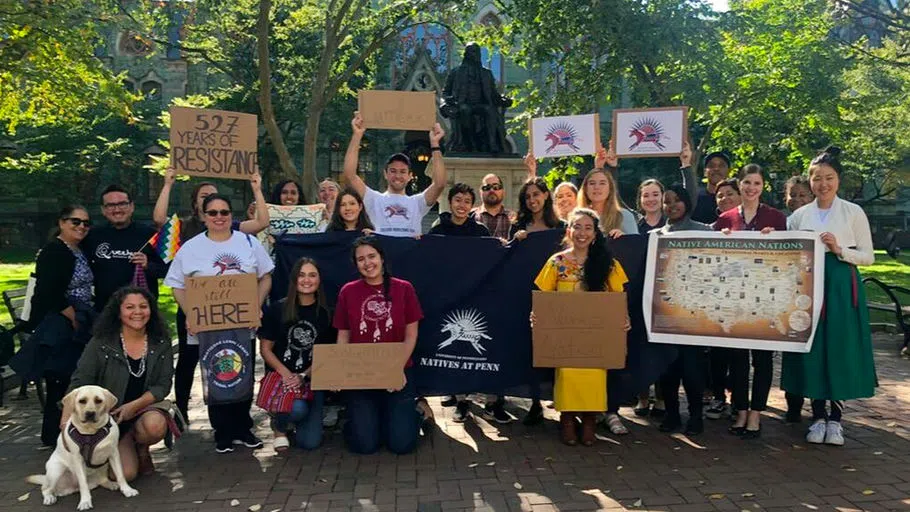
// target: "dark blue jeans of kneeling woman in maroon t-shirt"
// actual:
[[377, 417]]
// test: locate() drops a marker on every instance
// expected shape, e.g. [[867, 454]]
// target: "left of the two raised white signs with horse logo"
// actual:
[[564, 136]]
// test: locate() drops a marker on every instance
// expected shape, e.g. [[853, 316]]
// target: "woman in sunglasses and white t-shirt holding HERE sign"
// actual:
[[222, 250]]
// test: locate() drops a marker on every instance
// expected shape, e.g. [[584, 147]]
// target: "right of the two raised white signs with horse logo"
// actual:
[[647, 132]]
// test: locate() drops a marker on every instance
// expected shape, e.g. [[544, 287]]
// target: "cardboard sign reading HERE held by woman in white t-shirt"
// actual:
[[222, 302]]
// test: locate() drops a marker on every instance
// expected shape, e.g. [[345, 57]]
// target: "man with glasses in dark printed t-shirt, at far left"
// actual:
[[112, 249]]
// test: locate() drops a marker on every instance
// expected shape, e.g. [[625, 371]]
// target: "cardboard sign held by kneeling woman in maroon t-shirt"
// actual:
[[358, 366]]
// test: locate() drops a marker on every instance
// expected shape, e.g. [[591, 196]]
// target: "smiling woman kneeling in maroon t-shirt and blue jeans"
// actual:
[[378, 308]]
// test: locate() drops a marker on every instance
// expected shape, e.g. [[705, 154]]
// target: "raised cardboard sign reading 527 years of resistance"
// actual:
[[213, 143]]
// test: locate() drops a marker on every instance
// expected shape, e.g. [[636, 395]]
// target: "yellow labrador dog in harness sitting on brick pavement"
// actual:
[[86, 447]]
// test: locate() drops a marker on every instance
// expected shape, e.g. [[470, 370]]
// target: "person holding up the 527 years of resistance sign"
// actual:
[[190, 226]]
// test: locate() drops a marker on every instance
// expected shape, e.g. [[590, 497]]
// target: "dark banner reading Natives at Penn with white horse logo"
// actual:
[[476, 299]]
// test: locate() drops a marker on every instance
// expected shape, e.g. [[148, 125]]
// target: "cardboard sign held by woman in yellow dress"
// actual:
[[579, 330]]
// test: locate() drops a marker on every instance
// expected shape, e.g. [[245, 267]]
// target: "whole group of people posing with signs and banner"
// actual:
[[115, 337]]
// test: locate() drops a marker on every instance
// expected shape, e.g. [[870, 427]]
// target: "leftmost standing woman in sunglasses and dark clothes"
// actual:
[[61, 313]]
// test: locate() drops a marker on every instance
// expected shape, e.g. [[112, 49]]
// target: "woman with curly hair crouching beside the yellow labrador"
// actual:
[[130, 355]]
